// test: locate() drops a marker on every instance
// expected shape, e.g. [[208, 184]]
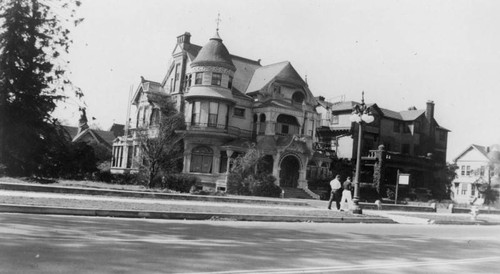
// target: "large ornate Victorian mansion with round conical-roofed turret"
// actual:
[[230, 102]]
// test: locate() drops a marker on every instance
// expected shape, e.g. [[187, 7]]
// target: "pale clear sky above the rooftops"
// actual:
[[400, 53]]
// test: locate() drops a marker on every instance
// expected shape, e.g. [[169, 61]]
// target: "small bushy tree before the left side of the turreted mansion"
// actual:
[[161, 146]]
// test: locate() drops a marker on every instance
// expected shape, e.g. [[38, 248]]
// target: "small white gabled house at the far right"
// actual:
[[474, 169]]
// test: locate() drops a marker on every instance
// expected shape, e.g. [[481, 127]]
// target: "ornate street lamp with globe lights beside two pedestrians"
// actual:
[[361, 114]]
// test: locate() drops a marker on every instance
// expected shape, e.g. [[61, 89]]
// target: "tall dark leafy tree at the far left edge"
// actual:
[[32, 80]]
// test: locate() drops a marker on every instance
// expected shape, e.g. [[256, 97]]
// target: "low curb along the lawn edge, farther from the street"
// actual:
[[151, 195]]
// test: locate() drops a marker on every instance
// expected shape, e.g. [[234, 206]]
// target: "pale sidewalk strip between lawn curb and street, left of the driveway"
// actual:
[[112, 206]]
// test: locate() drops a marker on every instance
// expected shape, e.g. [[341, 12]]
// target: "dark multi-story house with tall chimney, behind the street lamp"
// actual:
[[413, 141]]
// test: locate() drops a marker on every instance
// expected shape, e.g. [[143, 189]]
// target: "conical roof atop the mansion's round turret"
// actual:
[[214, 53]]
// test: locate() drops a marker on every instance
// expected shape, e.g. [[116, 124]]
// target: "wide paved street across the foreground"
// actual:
[[67, 244]]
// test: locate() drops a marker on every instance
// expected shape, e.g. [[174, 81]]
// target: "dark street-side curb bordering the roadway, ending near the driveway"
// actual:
[[8, 208]]
